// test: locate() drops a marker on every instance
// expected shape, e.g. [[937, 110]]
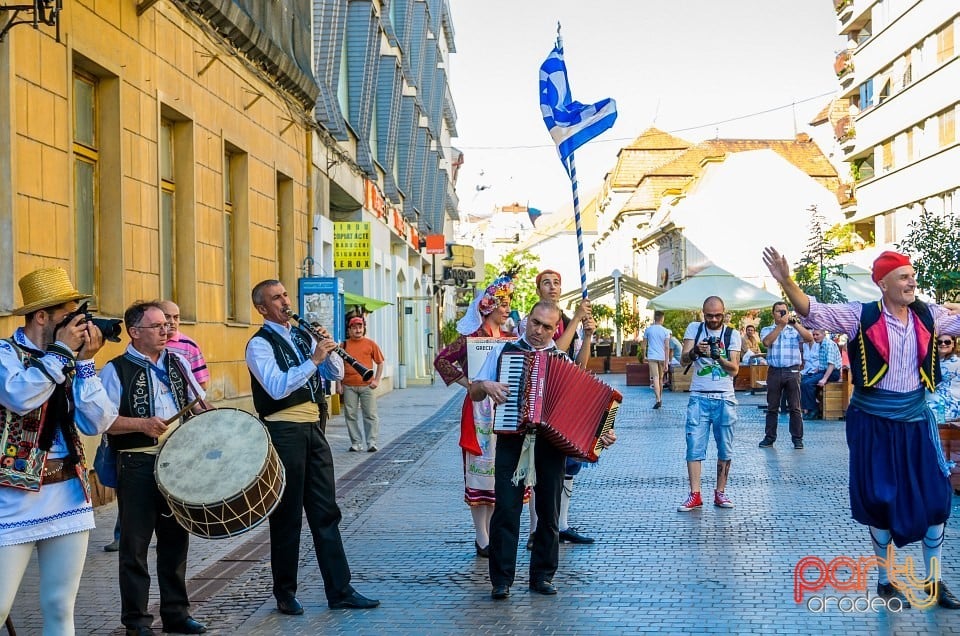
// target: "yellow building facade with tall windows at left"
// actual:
[[151, 159]]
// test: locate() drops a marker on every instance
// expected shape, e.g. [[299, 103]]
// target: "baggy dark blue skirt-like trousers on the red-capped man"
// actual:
[[896, 482]]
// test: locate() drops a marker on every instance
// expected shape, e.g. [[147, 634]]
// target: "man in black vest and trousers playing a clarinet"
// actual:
[[286, 368]]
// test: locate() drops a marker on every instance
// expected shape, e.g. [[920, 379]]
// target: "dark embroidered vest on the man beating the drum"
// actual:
[[136, 395]]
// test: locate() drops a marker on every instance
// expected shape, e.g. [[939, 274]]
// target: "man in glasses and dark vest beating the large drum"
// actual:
[[150, 384]]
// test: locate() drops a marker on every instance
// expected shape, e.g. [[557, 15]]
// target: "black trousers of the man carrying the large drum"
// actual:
[[143, 512]]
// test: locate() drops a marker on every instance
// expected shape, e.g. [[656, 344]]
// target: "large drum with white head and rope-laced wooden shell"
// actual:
[[220, 474]]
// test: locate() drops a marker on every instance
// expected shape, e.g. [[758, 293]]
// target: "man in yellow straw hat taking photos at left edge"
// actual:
[[48, 390]]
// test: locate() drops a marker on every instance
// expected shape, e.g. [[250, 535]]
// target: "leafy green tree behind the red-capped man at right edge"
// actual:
[[933, 244]]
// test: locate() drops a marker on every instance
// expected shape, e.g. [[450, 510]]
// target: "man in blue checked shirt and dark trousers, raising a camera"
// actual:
[[782, 340]]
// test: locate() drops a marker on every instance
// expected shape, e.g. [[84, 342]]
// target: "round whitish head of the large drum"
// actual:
[[212, 457]]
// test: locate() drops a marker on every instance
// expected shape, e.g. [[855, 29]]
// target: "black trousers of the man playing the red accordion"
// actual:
[[505, 524]]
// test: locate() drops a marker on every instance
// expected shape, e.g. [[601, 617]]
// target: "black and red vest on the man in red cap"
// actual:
[[870, 351]]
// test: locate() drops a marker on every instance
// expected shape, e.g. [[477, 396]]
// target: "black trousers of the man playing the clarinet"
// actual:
[[311, 488]]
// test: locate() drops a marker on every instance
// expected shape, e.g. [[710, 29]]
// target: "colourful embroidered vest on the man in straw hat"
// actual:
[[22, 462]]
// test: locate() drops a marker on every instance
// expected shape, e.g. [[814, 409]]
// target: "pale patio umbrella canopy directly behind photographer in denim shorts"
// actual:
[[737, 294]]
